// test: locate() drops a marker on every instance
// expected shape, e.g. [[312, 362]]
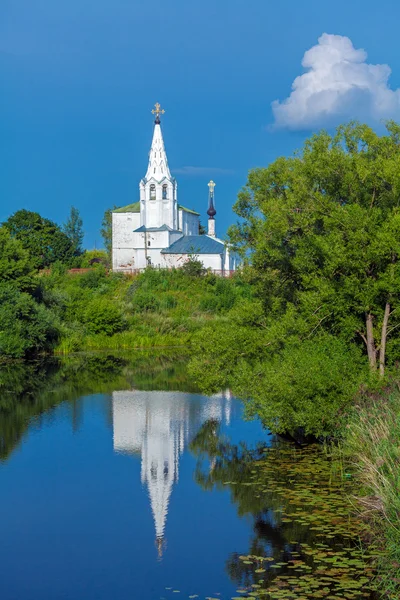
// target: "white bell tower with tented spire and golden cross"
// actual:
[[158, 189]]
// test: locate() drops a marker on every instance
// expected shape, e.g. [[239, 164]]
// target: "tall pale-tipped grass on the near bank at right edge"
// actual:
[[372, 450]]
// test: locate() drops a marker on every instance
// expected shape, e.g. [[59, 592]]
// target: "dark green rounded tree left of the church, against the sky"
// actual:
[[42, 238]]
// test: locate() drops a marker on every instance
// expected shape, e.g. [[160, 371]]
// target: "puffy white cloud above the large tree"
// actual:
[[339, 84]]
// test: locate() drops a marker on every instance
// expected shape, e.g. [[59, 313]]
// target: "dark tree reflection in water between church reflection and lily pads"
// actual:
[[222, 465]]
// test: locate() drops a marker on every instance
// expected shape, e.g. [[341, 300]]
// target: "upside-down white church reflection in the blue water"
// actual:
[[157, 426]]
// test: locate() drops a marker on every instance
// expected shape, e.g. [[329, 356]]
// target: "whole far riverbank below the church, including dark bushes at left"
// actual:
[[96, 310]]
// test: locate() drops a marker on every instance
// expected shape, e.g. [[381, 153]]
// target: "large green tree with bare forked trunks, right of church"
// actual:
[[322, 232]]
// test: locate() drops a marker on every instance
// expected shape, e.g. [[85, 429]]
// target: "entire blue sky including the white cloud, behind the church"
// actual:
[[79, 78]]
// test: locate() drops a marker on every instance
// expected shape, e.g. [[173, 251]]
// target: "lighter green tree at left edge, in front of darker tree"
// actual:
[[16, 266]]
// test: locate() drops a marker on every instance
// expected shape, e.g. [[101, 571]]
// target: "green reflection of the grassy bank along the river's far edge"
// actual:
[[28, 389]]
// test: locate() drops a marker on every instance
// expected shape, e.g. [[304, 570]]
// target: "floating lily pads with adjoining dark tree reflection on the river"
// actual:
[[298, 498]]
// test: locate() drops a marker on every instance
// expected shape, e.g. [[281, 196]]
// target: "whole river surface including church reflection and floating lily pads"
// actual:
[[119, 480]]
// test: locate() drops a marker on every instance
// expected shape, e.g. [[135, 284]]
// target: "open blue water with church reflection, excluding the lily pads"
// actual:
[[99, 500]]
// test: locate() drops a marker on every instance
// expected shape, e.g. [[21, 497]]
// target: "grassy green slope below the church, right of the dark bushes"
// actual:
[[158, 308]]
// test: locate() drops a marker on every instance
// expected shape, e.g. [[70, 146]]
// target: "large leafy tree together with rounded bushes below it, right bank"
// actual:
[[321, 234]]
